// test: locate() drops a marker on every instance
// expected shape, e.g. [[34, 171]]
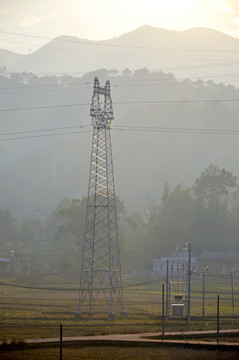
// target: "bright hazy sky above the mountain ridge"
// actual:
[[105, 19]]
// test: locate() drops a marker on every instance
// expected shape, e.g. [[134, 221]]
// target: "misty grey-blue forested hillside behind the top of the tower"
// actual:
[[184, 123]]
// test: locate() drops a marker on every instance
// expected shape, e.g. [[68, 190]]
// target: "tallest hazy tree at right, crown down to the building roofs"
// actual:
[[213, 190]]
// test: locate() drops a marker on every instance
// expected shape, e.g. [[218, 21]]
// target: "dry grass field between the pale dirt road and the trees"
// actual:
[[33, 313]]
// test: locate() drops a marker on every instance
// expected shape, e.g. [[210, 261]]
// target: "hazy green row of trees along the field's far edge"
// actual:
[[205, 215]]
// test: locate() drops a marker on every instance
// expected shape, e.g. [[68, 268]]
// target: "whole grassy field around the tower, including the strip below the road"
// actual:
[[38, 307]]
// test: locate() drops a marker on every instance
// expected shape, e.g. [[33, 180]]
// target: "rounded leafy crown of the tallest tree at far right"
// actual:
[[214, 186]]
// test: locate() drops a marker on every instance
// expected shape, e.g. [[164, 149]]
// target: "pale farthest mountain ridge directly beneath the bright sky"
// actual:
[[197, 52]]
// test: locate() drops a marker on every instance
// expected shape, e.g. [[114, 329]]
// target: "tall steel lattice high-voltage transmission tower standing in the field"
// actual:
[[100, 276]]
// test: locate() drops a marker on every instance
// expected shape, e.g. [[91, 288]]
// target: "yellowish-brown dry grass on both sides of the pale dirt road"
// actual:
[[33, 313]]
